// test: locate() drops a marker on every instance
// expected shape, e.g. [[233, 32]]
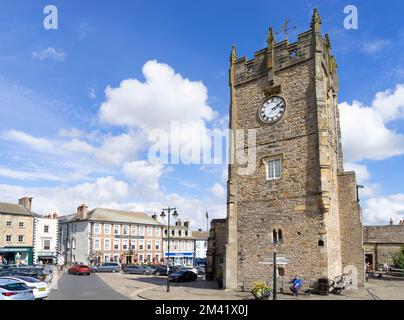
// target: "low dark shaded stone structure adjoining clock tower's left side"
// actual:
[[216, 248]]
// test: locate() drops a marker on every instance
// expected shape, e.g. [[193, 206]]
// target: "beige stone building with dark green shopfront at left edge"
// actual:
[[17, 232]]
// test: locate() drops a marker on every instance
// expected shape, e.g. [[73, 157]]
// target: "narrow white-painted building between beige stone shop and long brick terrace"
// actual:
[[45, 238]]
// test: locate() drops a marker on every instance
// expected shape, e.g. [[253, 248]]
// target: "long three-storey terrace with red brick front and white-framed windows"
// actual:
[[105, 235]]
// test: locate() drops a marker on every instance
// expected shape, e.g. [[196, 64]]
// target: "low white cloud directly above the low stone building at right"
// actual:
[[378, 211]]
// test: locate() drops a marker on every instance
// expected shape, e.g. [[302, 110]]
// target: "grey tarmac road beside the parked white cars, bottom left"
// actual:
[[72, 287]]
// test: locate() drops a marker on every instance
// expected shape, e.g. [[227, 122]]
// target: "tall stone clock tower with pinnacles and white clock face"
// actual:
[[299, 200]]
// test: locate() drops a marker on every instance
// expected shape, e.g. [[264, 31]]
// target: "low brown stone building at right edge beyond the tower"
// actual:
[[382, 242]]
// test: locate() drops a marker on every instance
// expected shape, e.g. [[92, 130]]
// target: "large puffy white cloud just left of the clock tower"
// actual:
[[164, 98]]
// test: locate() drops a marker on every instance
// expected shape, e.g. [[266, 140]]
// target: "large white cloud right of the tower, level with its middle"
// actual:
[[365, 134]]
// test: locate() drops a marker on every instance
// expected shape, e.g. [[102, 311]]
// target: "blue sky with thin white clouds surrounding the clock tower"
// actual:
[[52, 87]]
